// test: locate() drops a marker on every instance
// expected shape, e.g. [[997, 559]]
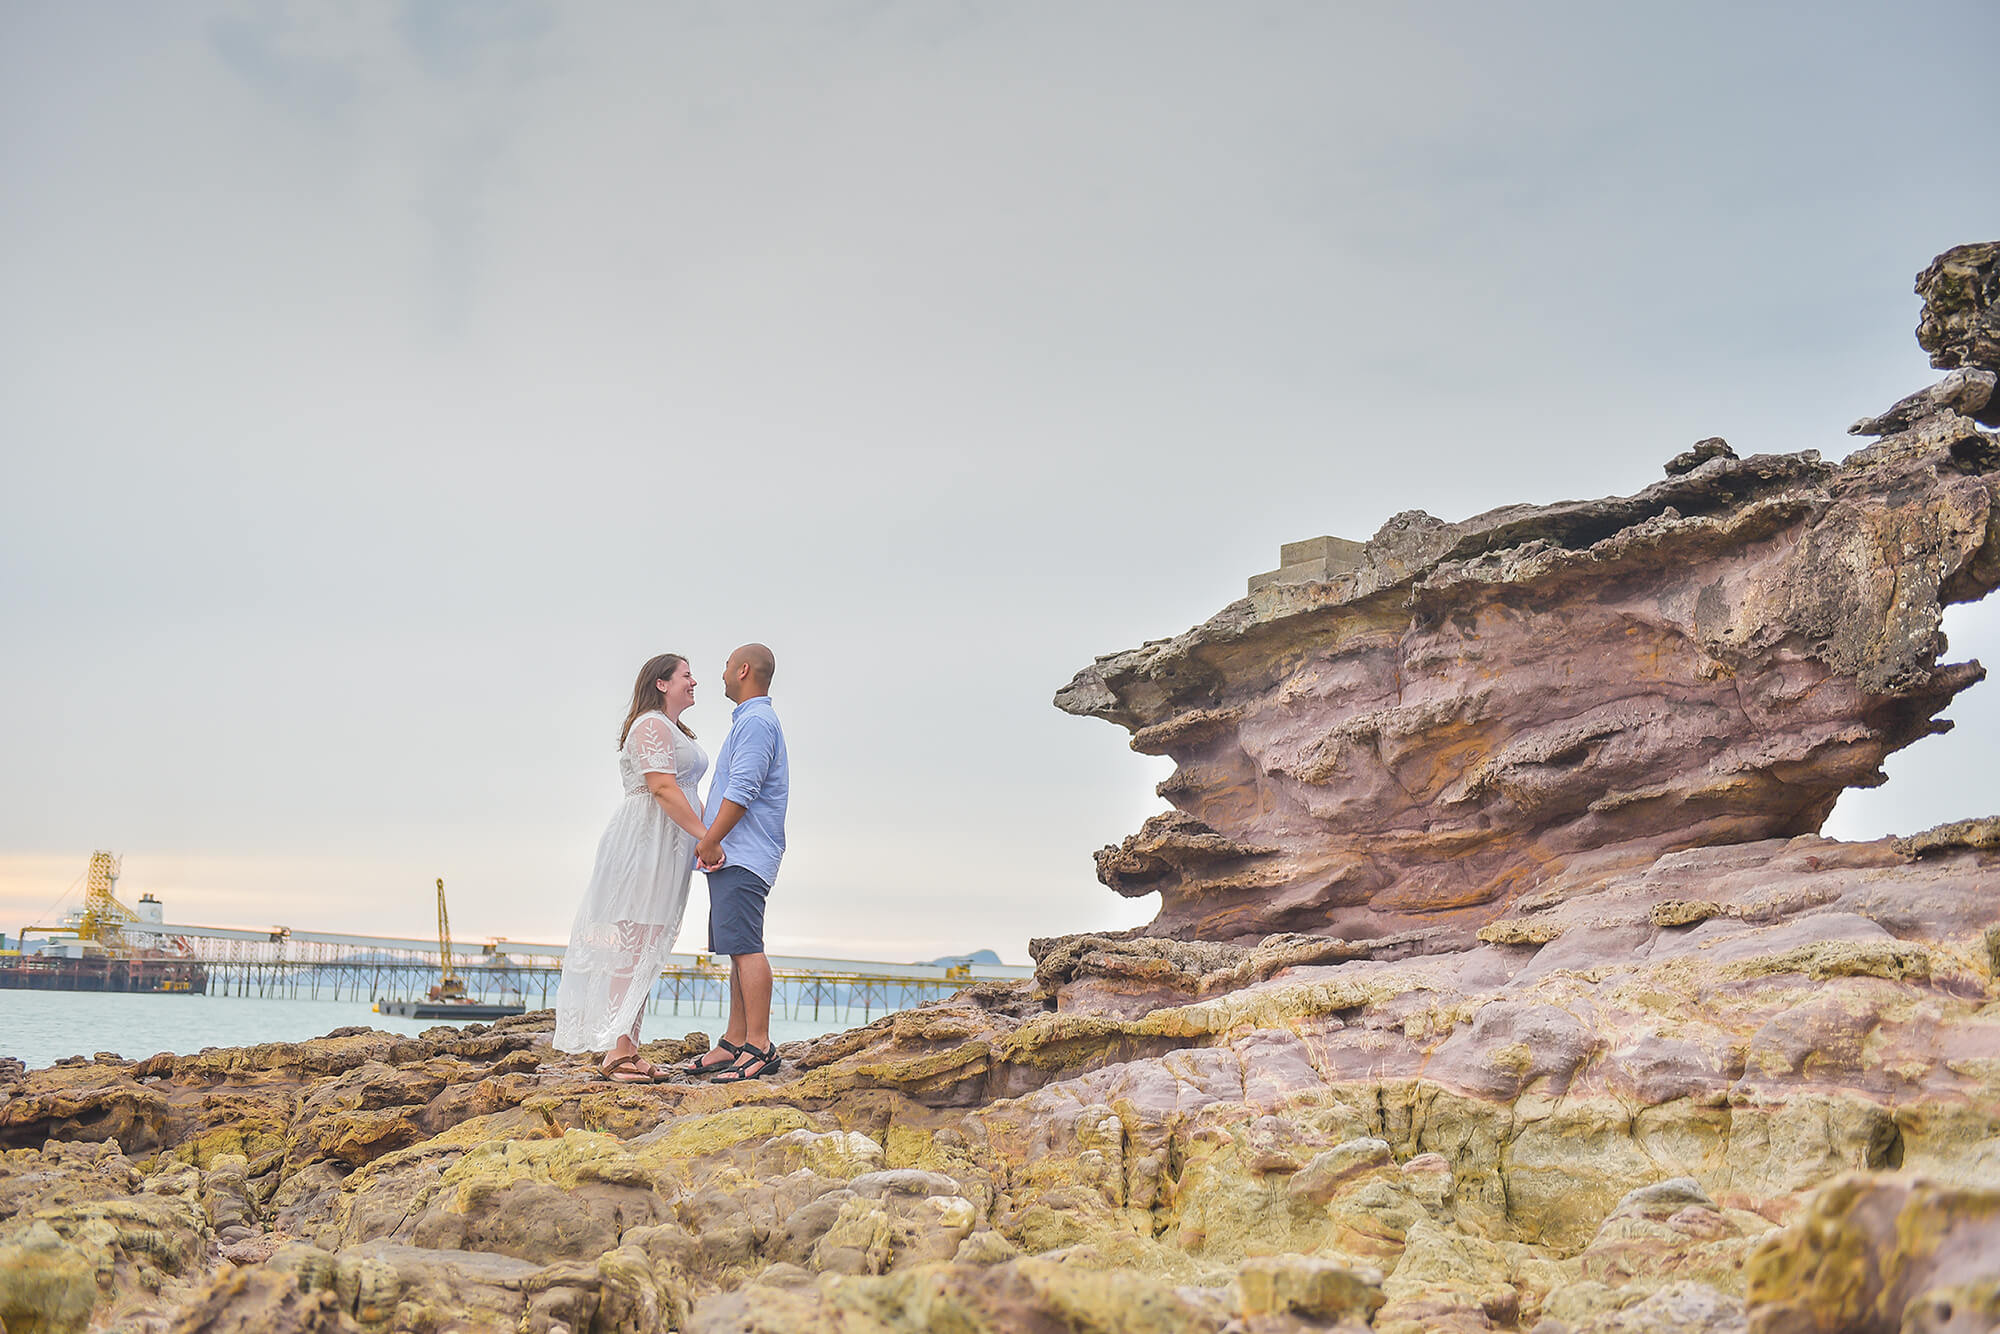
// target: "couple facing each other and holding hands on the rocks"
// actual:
[[663, 831]]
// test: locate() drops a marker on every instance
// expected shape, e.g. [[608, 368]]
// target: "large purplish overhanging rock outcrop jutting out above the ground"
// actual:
[[1547, 695]]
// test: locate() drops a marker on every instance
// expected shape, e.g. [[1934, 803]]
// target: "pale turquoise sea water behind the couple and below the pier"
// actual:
[[45, 1027]]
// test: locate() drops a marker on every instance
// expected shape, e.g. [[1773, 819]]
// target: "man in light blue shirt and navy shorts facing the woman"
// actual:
[[741, 857]]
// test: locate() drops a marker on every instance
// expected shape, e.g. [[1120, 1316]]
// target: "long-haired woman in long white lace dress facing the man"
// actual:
[[639, 889]]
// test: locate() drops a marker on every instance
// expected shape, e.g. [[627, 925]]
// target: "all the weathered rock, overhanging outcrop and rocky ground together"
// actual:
[[1521, 997]]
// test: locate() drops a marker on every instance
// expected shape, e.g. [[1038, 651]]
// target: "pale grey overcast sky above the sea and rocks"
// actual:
[[383, 383]]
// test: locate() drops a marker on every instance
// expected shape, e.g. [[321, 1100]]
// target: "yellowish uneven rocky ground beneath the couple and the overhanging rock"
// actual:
[[1715, 1127]]
